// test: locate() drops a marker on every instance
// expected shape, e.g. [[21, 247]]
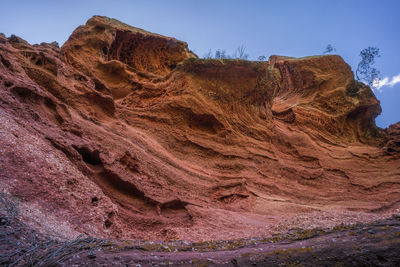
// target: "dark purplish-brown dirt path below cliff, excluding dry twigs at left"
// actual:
[[364, 245]]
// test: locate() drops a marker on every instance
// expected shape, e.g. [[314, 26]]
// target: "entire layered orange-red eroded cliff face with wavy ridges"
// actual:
[[125, 133]]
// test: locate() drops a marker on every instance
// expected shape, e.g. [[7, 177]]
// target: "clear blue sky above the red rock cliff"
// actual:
[[291, 28]]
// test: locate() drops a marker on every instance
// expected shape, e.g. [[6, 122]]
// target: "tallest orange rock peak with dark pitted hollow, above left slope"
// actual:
[[103, 39]]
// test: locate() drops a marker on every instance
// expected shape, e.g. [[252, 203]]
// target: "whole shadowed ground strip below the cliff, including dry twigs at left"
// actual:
[[372, 244]]
